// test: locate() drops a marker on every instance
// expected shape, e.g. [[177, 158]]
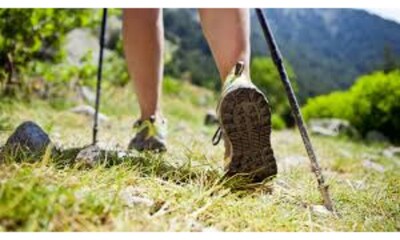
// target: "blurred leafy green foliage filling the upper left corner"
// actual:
[[27, 35]]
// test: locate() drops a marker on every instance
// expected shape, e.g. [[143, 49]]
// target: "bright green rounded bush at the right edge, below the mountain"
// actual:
[[373, 103]]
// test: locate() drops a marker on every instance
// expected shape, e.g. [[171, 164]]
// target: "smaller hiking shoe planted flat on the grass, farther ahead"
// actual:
[[150, 135]]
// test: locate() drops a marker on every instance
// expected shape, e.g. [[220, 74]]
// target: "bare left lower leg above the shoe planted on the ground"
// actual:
[[144, 44]]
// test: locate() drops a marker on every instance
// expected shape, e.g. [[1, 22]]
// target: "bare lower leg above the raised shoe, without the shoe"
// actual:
[[228, 34]]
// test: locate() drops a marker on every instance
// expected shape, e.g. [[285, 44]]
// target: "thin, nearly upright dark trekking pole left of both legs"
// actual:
[[99, 76]]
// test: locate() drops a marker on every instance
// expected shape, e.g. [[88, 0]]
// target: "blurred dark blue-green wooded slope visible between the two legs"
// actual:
[[190, 57]]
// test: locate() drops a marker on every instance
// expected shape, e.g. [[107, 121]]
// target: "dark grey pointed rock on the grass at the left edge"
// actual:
[[28, 136]]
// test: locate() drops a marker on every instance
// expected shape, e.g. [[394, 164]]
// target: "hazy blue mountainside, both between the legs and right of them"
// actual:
[[327, 48]]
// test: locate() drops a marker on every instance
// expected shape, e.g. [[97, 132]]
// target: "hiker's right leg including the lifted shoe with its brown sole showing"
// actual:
[[244, 113]]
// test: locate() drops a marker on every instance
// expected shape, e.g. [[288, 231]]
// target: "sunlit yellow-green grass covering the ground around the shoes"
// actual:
[[183, 189]]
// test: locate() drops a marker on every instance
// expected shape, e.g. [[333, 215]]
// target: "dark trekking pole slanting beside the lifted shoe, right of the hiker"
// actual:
[[277, 59]]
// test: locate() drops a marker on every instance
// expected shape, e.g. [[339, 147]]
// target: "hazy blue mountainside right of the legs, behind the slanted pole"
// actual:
[[329, 48]]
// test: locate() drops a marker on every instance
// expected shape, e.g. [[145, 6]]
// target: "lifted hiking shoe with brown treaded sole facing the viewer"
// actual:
[[245, 124]]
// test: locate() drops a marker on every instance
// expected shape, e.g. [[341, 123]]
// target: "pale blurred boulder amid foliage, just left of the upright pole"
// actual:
[[79, 43]]
